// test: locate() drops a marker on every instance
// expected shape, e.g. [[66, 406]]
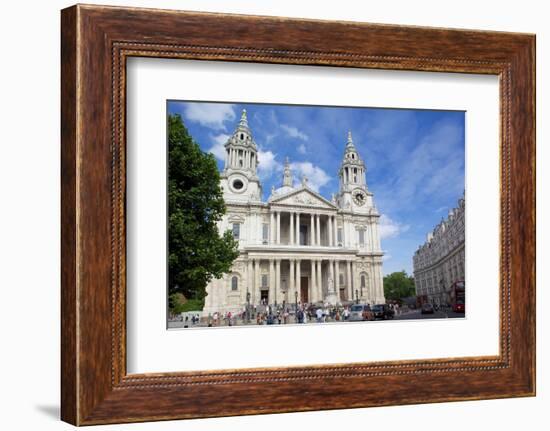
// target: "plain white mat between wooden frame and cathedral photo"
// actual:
[[153, 348]]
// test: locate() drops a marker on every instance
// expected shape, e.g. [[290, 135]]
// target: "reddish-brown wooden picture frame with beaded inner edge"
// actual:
[[96, 42]]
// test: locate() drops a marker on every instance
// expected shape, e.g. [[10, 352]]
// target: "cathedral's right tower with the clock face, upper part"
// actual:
[[354, 194]]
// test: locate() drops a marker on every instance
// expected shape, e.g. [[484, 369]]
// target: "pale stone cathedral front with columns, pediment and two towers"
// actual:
[[298, 246]]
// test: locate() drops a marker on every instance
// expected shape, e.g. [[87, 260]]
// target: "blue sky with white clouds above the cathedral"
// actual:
[[414, 158]]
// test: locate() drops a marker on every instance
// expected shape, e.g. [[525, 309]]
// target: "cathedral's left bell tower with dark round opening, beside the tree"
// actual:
[[239, 179]]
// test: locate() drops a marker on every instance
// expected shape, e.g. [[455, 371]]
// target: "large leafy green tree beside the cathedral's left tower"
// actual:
[[197, 251]]
